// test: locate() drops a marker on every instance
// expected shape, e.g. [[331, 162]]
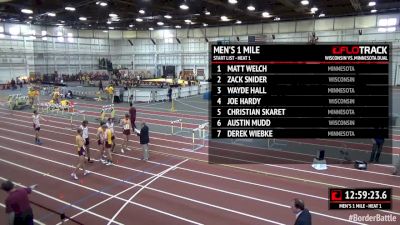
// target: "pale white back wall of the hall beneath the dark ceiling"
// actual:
[[192, 51]]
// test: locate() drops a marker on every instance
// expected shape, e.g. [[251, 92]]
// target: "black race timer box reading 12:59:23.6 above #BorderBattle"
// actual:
[[360, 198]]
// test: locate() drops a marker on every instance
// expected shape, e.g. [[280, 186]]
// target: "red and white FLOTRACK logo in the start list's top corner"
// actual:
[[359, 50]]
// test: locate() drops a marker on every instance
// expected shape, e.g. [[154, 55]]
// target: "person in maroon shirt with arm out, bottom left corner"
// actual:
[[18, 208]]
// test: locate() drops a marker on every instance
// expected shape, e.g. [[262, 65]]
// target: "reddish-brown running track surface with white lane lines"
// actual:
[[195, 192]]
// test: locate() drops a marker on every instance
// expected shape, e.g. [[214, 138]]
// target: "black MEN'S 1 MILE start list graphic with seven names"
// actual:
[[300, 91]]
